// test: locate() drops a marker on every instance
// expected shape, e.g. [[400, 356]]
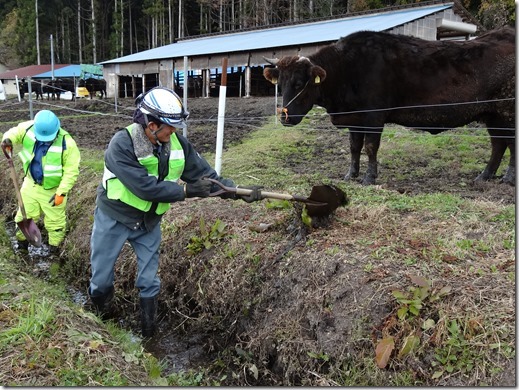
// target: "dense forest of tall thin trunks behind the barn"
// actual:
[[92, 31]]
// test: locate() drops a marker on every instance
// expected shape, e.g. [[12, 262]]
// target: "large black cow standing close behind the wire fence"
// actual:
[[368, 79]]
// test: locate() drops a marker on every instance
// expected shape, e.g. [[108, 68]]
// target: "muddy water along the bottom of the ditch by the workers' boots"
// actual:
[[178, 353]]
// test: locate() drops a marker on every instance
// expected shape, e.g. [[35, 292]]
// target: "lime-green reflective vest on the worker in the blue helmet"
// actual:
[[51, 162]]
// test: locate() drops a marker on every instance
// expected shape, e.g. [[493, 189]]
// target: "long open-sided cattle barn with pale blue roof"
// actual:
[[201, 58]]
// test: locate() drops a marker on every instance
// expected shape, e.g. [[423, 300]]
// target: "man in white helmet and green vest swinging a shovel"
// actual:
[[143, 163]]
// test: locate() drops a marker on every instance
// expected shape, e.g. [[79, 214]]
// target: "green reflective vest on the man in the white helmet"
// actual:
[[116, 190]]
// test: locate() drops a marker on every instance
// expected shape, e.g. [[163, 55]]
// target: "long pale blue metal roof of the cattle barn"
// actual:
[[307, 33]]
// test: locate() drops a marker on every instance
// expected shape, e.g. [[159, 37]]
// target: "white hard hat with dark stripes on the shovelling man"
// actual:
[[164, 105]]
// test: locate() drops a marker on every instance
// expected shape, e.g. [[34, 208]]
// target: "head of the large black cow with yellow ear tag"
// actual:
[[299, 80]]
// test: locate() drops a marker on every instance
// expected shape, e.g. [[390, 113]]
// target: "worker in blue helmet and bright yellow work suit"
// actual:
[[50, 159]]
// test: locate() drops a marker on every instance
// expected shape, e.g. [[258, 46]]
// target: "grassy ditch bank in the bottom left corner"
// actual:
[[42, 332]]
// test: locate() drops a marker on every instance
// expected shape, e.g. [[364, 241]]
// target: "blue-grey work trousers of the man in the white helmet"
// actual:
[[106, 242]]
